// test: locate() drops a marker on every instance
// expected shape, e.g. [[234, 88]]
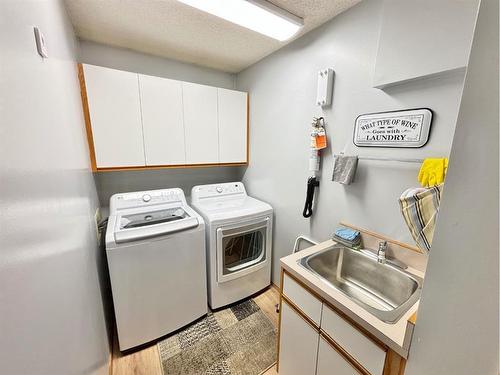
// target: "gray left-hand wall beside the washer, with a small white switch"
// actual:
[[51, 309]]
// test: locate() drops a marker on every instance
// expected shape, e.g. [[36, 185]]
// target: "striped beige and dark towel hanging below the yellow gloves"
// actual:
[[420, 208]]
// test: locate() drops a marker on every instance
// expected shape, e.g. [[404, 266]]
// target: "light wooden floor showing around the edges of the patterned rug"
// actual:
[[147, 360]]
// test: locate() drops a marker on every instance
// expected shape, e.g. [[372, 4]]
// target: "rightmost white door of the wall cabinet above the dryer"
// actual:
[[232, 106]]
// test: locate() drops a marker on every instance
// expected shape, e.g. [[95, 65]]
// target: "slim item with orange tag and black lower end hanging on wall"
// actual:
[[318, 142]]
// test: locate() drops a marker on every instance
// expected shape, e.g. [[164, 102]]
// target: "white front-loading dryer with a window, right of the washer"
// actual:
[[239, 238]]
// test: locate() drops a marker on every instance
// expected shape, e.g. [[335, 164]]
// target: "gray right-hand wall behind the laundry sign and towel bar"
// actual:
[[282, 103]]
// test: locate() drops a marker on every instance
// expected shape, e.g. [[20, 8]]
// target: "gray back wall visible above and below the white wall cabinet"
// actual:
[[109, 183]]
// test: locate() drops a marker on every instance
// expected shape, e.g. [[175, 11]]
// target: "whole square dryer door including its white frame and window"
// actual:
[[242, 248]]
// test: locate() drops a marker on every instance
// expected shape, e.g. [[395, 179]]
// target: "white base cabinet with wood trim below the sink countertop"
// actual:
[[315, 339]]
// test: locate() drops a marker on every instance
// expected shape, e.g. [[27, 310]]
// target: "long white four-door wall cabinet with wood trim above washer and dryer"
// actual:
[[136, 121]]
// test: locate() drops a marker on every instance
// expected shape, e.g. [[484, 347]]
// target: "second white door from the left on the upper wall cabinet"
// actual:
[[162, 120]]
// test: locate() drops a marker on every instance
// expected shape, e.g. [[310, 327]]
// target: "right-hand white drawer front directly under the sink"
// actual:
[[361, 348]]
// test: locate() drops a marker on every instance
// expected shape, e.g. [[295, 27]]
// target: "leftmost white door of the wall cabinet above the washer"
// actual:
[[115, 116]]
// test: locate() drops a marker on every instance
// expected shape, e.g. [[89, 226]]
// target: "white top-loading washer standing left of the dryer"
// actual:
[[155, 246]]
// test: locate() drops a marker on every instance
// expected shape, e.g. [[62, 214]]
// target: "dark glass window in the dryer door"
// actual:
[[243, 250]]
